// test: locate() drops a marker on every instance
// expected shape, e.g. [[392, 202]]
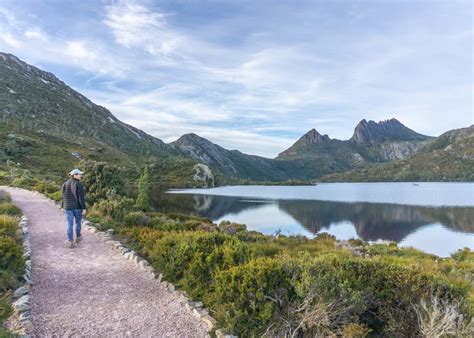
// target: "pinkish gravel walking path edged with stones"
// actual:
[[91, 290]]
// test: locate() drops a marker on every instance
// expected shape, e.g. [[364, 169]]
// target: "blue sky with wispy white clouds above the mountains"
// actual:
[[255, 75]]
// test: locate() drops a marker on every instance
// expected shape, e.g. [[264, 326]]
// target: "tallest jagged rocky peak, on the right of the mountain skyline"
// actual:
[[387, 130]]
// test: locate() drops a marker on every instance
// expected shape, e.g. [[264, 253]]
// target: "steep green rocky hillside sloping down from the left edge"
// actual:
[[48, 127]]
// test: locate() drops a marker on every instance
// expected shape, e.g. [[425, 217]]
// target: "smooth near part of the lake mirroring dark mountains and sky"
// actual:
[[368, 221]]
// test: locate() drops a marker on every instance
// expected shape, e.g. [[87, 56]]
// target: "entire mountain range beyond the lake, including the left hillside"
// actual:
[[47, 127]]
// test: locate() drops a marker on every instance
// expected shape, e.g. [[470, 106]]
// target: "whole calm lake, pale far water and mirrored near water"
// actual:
[[435, 217]]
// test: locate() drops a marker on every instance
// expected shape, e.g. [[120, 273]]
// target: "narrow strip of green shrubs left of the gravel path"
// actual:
[[11, 256]]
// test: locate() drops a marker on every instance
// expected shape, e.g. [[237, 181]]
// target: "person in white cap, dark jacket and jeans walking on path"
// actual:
[[74, 205]]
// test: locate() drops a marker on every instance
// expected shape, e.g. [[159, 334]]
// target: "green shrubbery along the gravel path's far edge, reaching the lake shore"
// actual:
[[257, 285]]
